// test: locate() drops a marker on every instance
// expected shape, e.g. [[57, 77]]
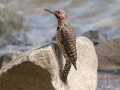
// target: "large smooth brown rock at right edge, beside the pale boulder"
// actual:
[[108, 55]]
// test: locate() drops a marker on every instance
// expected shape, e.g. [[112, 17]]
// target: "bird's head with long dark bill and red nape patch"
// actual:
[[59, 14]]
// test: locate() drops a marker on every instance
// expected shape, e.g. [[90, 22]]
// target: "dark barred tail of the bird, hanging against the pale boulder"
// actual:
[[66, 71]]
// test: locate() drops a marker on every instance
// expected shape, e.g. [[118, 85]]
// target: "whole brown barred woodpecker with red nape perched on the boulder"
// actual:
[[66, 41]]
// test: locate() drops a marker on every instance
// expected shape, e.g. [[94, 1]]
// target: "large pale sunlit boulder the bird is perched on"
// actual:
[[39, 69]]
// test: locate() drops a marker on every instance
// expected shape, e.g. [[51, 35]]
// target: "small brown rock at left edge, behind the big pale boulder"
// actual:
[[6, 58]]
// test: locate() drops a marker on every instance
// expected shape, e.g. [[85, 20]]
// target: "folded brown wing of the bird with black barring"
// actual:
[[68, 39]]
